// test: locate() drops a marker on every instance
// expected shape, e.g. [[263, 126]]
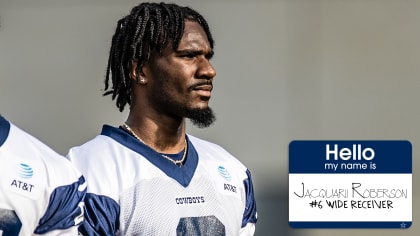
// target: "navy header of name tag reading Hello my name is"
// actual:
[[353, 156]]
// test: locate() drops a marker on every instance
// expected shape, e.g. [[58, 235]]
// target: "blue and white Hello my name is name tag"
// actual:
[[350, 184]]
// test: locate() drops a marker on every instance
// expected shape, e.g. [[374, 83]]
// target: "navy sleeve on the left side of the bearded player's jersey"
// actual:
[[101, 216]]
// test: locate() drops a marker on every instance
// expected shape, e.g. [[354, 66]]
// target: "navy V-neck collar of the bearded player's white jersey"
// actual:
[[182, 175]]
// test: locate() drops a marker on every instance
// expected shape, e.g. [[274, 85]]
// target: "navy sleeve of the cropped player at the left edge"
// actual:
[[65, 209]]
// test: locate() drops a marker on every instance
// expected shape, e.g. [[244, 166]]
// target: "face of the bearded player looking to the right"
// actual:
[[181, 80]]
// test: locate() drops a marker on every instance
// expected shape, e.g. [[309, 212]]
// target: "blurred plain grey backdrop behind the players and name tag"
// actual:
[[286, 70]]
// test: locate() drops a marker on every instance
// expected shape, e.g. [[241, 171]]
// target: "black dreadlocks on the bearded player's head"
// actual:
[[148, 27]]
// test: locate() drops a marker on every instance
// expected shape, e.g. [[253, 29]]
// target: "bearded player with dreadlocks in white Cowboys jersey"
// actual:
[[147, 176]]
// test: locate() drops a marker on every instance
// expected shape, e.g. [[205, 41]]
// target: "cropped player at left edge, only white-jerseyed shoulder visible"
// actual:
[[40, 191]]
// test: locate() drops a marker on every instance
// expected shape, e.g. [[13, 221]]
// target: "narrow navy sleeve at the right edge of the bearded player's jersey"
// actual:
[[250, 213]]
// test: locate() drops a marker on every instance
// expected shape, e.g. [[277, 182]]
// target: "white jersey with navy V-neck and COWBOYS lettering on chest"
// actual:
[[133, 190]]
